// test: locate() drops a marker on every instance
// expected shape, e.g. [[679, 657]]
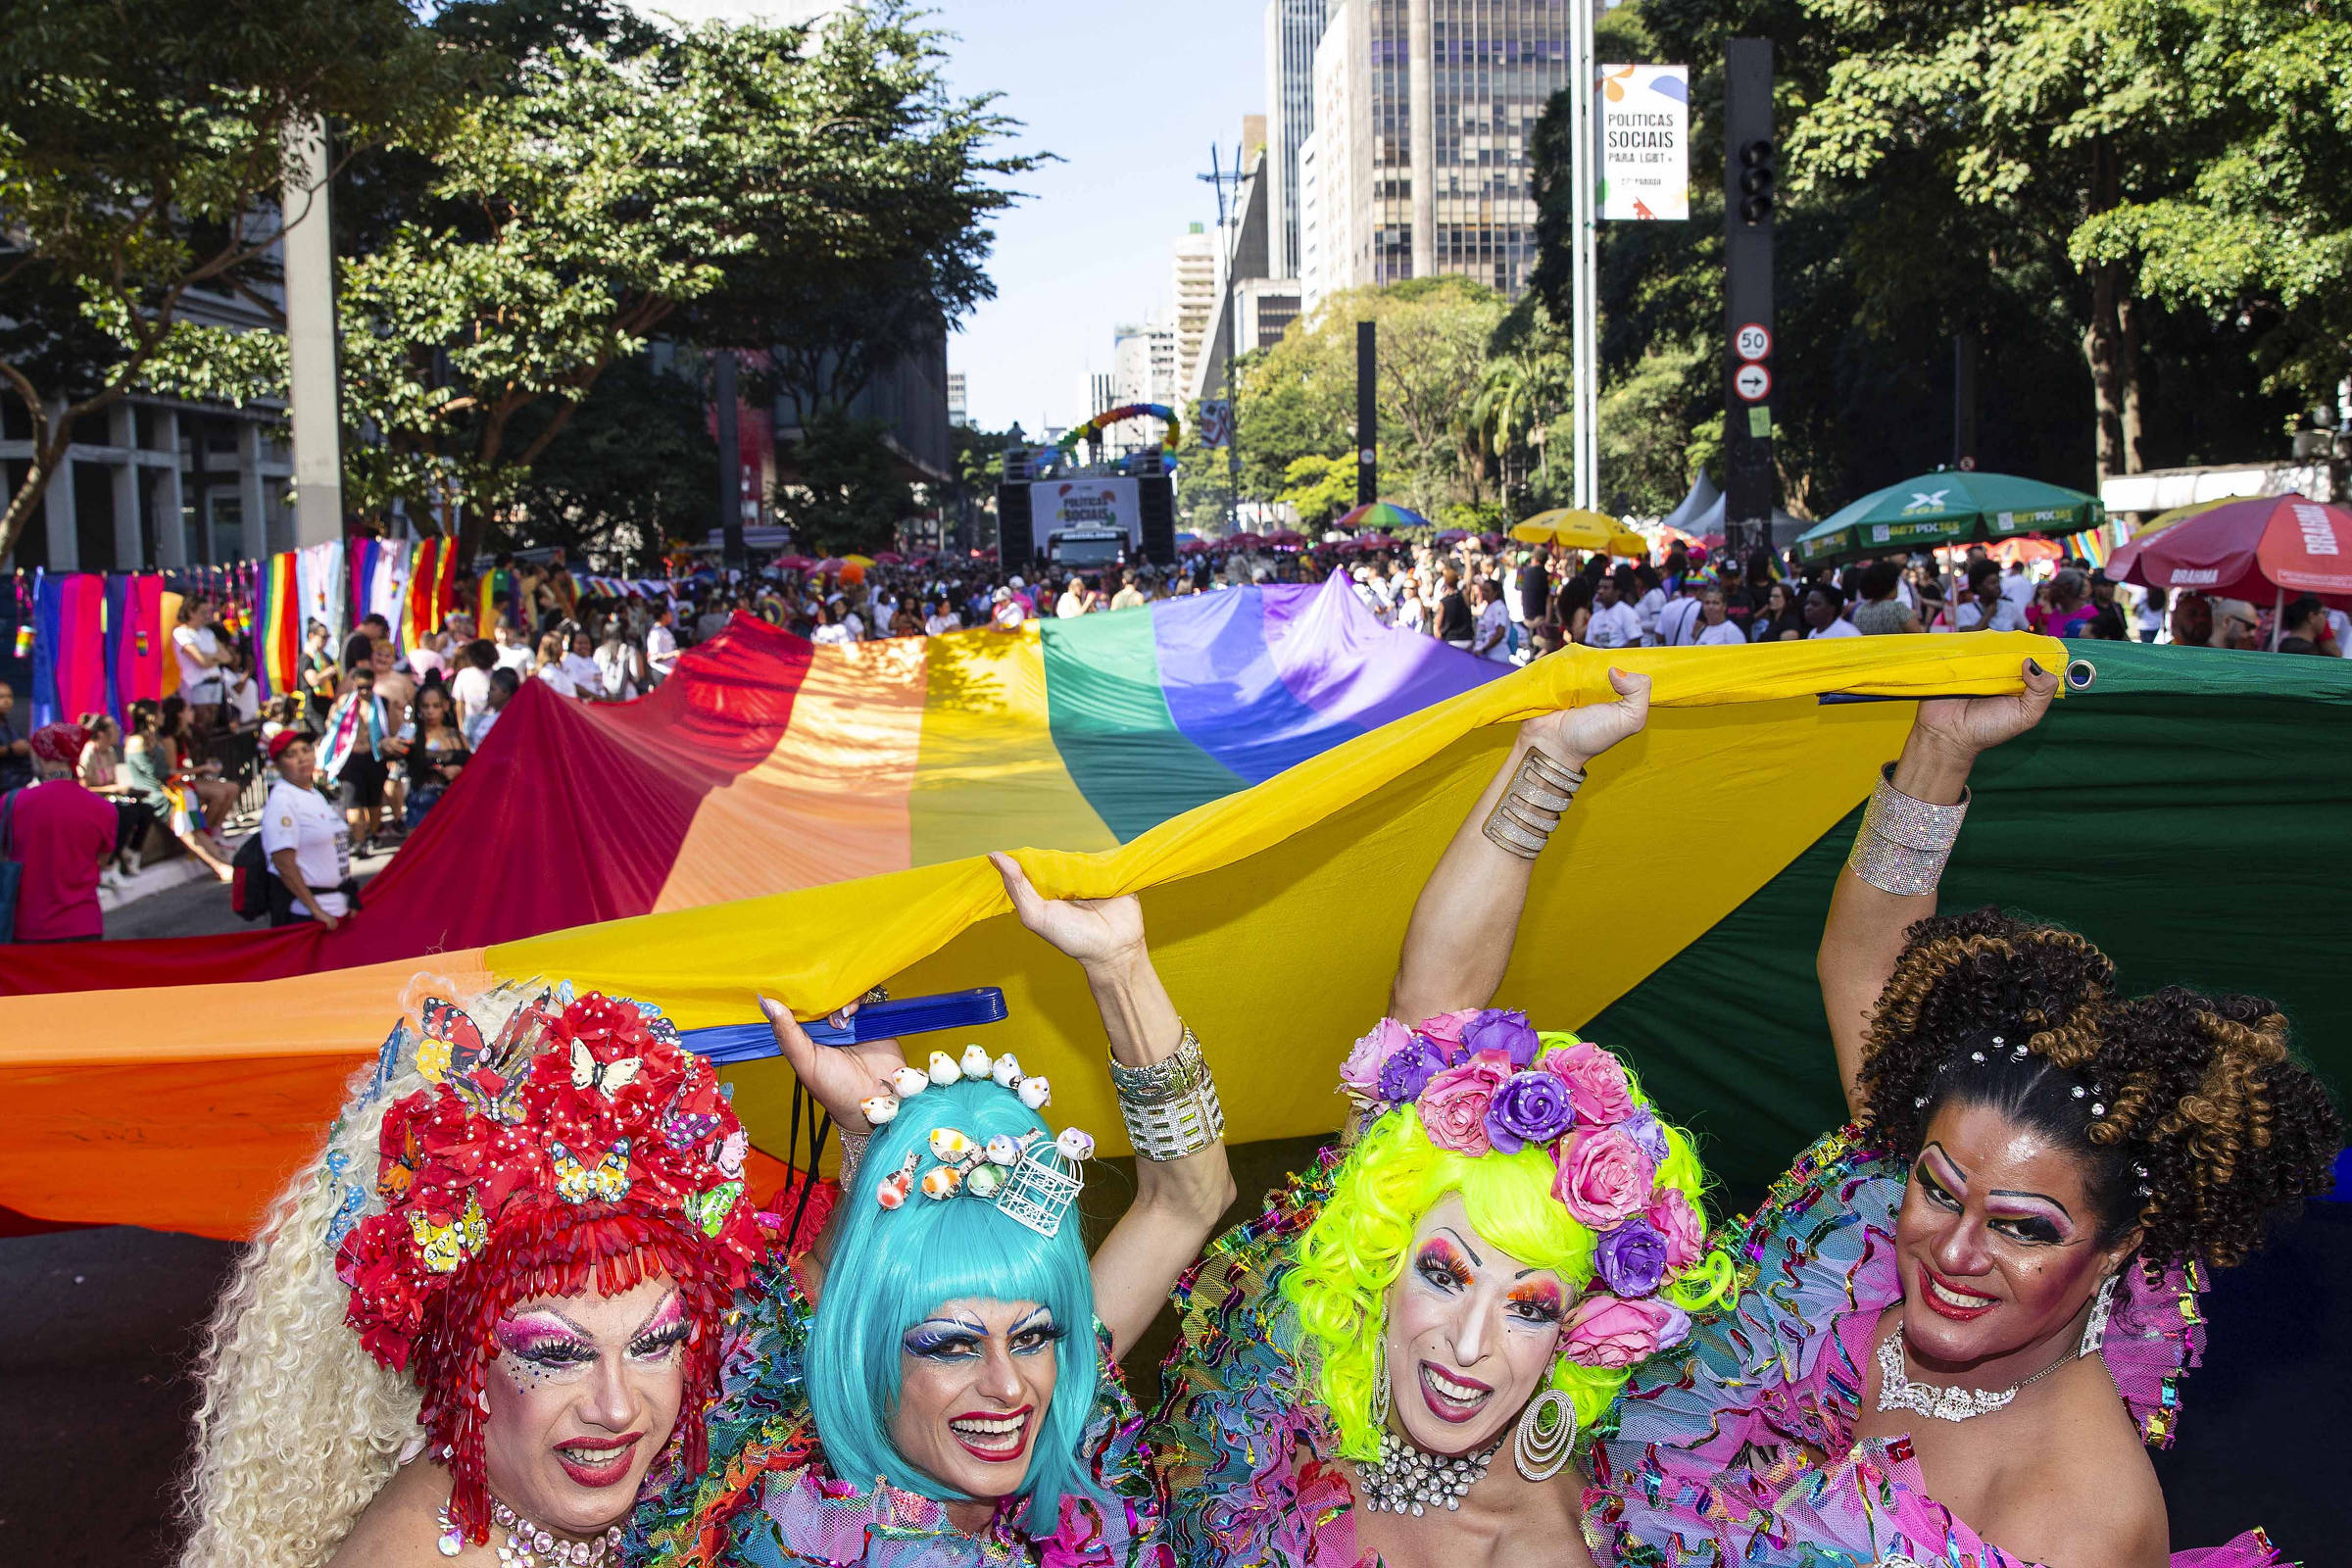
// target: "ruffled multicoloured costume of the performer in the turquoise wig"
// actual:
[[768, 1499]]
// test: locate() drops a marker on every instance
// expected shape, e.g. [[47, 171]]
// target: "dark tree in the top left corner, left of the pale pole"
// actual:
[[142, 161]]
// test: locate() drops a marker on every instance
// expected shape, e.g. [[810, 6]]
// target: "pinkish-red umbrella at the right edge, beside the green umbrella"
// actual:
[[2261, 549]]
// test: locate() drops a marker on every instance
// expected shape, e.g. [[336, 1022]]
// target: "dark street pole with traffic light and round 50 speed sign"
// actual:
[[1751, 177]]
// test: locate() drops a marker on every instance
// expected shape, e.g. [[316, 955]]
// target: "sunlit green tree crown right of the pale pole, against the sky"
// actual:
[[606, 199]]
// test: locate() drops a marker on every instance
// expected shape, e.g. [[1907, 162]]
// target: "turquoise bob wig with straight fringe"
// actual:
[[893, 1268]]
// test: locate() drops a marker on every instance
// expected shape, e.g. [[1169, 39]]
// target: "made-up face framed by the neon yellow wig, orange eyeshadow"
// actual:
[[1471, 1334]]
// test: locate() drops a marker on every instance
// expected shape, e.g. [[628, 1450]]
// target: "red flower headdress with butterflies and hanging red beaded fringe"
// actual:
[[582, 1146]]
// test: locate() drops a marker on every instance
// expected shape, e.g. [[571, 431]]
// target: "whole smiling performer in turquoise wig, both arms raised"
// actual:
[[935, 1386]]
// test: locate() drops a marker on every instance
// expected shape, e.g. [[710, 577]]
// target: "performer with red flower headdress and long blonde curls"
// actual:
[[490, 1306]]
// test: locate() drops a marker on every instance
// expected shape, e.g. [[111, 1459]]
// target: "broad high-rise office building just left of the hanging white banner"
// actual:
[[1419, 156]]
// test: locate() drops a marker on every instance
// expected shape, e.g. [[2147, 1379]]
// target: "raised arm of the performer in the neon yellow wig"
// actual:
[[1469, 913]]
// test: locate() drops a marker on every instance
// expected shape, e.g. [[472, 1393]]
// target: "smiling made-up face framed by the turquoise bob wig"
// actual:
[[975, 1383]]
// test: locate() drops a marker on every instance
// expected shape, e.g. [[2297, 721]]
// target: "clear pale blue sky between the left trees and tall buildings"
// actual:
[[1130, 98]]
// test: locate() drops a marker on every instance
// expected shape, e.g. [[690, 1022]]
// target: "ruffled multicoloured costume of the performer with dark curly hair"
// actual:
[[1786, 1369]]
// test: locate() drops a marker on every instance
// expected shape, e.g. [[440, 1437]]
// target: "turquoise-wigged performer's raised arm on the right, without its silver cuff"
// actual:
[[1177, 1200]]
